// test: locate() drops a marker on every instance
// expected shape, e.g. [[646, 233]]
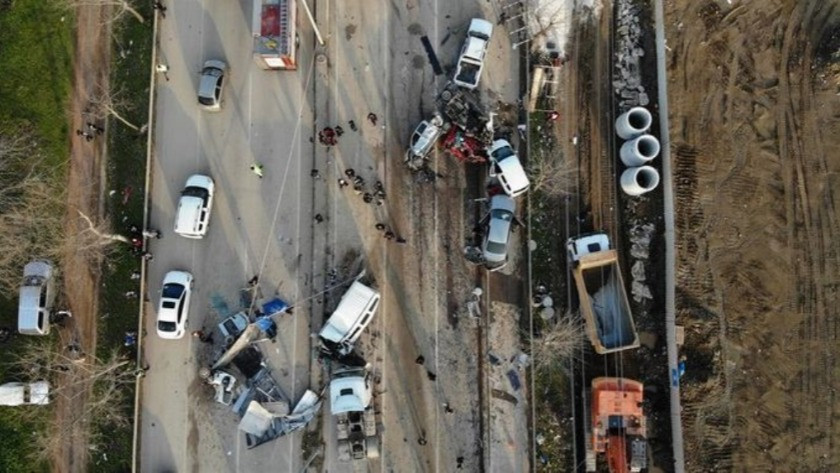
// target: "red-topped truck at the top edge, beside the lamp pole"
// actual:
[[275, 37]]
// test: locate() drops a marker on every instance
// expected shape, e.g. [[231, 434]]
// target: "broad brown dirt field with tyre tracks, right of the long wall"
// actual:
[[753, 94]]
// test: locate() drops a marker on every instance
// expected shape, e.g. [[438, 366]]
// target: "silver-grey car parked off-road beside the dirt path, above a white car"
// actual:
[[37, 294]]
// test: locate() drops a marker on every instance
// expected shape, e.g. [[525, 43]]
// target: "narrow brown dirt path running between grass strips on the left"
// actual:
[[81, 275]]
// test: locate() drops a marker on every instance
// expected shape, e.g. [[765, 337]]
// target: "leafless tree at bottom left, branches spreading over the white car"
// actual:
[[103, 383]]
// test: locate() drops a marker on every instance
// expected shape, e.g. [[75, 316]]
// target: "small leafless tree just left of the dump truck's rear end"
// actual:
[[558, 343]]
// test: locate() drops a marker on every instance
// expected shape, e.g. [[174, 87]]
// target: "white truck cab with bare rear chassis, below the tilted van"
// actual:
[[351, 403]]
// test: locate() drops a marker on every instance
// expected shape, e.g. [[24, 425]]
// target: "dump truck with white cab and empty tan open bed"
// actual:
[[603, 300]]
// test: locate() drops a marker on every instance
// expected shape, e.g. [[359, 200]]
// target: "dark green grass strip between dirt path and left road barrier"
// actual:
[[131, 64]]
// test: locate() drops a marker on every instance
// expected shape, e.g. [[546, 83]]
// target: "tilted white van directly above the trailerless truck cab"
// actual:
[[353, 314]]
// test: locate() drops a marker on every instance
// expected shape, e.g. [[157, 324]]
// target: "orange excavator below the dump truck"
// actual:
[[618, 427]]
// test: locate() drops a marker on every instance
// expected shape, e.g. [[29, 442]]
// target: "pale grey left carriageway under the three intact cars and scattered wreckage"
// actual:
[[258, 226]]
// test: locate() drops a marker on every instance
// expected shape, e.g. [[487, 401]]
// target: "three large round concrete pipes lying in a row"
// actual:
[[639, 149]]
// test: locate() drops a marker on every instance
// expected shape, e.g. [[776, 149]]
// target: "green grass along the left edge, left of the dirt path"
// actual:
[[36, 45]]
